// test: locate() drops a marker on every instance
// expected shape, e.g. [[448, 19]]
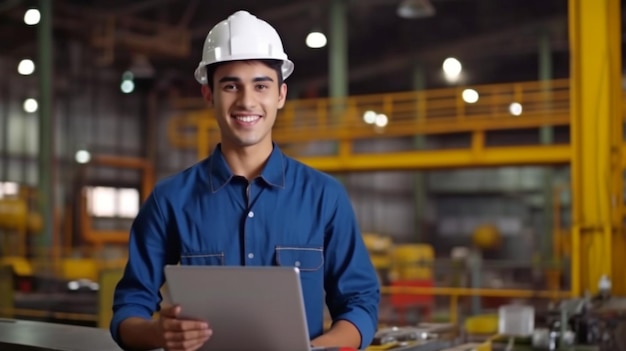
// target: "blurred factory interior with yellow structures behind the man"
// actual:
[[481, 143]]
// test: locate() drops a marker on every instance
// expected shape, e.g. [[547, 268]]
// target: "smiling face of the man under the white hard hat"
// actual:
[[246, 98]]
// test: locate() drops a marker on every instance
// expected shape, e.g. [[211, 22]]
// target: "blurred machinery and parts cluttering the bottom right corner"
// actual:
[[592, 324]]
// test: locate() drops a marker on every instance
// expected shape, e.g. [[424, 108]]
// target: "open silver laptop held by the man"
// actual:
[[248, 308]]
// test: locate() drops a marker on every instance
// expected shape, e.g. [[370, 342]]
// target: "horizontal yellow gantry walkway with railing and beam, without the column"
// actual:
[[306, 122]]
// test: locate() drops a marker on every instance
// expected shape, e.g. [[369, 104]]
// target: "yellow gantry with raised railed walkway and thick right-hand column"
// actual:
[[589, 102]]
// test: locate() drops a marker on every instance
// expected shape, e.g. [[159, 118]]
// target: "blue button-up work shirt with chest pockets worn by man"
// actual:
[[291, 215]]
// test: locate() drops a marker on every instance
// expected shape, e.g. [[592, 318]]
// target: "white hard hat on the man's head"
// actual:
[[242, 36]]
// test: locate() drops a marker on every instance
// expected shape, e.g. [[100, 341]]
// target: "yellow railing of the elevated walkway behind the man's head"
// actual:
[[544, 103]]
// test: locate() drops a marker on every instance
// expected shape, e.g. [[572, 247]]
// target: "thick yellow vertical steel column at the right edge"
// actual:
[[596, 134]]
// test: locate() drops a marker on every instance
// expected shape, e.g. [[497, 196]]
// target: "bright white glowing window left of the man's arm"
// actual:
[[112, 202]]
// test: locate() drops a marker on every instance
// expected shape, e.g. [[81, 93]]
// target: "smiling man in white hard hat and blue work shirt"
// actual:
[[247, 204]]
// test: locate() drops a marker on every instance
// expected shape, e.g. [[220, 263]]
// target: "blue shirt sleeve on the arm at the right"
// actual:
[[352, 287]]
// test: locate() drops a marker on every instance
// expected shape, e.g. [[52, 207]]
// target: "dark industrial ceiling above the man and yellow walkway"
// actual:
[[496, 40]]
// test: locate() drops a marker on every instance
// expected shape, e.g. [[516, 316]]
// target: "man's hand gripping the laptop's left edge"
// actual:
[[181, 334]]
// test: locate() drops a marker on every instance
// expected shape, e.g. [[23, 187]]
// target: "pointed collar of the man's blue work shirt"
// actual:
[[220, 173]]
